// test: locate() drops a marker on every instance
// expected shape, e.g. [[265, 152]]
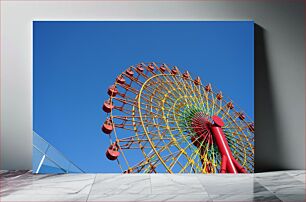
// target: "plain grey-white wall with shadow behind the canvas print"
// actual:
[[279, 67]]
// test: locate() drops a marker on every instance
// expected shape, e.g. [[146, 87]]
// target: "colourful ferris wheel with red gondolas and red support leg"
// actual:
[[159, 119]]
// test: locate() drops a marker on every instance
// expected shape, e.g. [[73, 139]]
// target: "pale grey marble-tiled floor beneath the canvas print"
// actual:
[[270, 186]]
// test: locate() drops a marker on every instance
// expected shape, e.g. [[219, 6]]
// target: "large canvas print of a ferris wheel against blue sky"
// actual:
[[143, 97]]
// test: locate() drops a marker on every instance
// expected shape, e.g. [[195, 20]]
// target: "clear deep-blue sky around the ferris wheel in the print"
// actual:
[[75, 62]]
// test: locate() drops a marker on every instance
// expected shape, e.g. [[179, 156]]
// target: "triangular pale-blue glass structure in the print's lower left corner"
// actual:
[[47, 159]]
